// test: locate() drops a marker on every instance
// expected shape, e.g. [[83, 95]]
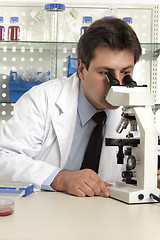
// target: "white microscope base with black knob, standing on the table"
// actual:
[[131, 194]]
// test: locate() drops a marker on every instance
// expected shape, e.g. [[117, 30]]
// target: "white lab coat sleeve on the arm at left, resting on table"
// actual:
[[21, 140]]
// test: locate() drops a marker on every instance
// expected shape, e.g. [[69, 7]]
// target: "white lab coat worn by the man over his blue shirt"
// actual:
[[38, 138]]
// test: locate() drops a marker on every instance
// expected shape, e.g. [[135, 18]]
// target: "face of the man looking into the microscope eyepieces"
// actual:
[[93, 82]]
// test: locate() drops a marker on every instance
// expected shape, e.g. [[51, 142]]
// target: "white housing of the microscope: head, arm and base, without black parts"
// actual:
[[135, 101]]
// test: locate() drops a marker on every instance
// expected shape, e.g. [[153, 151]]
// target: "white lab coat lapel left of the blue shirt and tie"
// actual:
[[64, 124]]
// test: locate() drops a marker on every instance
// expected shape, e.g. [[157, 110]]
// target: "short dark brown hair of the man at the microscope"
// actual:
[[113, 33]]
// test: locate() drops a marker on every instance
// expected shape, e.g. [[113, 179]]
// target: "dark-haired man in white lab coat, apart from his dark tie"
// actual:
[[45, 141]]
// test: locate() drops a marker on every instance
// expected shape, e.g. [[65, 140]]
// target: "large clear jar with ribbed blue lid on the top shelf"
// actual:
[[54, 11]]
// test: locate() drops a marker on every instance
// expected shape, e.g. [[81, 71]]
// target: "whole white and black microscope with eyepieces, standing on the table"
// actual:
[[140, 155]]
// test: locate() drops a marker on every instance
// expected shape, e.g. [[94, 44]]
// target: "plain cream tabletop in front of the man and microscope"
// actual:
[[53, 215]]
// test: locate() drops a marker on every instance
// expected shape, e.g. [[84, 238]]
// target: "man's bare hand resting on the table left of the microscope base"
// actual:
[[80, 183]]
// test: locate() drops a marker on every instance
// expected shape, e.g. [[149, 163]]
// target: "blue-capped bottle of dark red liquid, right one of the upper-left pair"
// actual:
[[14, 29]]
